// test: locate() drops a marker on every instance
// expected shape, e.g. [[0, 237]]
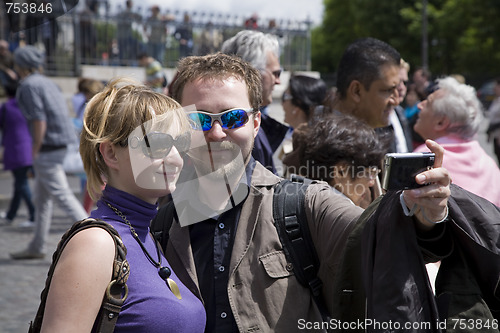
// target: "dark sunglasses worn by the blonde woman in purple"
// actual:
[[158, 145]]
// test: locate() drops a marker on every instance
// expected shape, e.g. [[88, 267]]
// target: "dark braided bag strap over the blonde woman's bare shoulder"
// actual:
[[117, 290]]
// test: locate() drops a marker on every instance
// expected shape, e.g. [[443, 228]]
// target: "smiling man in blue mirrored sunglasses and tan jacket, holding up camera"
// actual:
[[222, 241]]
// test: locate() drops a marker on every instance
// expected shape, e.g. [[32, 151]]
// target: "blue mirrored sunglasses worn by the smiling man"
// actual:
[[229, 119]]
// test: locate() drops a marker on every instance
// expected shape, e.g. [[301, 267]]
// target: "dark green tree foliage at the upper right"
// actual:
[[463, 35]]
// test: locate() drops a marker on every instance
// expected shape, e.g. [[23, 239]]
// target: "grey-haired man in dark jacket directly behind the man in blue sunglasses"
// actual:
[[262, 52]]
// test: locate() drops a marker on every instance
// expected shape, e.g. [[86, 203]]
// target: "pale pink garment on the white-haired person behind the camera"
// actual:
[[470, 167]]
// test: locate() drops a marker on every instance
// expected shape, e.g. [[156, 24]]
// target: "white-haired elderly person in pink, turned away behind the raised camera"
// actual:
[[451, 116]]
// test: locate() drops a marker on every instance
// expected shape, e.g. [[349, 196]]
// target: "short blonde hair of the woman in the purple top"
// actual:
[[112, 114]]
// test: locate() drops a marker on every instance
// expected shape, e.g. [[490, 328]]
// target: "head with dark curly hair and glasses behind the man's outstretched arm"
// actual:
[[346, 153]]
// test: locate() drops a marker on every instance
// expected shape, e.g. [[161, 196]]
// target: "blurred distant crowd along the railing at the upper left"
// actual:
[[131, 30]]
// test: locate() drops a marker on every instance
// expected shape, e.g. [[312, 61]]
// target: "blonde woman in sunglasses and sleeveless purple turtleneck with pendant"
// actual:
[[131, 142]]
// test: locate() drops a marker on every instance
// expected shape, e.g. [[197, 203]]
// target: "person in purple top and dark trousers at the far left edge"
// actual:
[[16, 140]]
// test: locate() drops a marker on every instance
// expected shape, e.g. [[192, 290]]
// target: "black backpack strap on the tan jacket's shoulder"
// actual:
[[291, 223]]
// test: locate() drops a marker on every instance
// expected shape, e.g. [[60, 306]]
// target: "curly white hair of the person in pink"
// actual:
[[461, 105]]
